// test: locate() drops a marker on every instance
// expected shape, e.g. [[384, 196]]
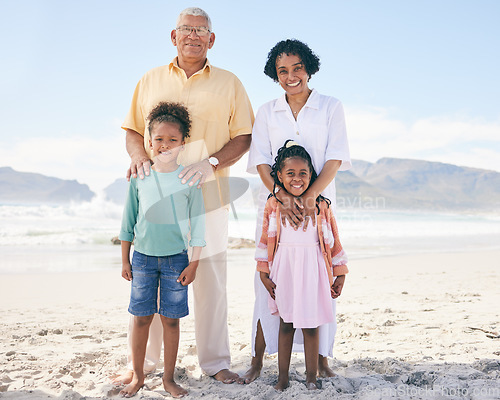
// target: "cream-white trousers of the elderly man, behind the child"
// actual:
[[210, 304]]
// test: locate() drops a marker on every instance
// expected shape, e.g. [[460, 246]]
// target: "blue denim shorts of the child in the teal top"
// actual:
[[149, 273]]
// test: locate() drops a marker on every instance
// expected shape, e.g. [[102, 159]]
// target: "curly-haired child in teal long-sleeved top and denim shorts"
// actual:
[[159, 214]]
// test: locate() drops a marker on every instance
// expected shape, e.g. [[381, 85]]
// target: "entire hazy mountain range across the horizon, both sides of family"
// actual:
[[388, 183]]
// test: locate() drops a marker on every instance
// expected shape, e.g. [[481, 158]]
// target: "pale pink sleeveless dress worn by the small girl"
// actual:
[[299, 272]]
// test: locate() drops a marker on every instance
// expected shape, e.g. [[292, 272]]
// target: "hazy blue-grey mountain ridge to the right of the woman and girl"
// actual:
[[423, 184]]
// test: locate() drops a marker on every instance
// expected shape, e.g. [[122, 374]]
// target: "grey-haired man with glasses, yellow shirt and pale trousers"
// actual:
[[222, 121]]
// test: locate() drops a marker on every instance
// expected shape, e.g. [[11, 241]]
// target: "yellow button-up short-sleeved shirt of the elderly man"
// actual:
[[219, 108]]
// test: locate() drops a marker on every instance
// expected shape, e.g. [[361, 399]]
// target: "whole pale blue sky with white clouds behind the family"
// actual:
[[418, 79]]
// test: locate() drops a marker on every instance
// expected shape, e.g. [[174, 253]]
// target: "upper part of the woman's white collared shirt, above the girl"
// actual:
[[319, 128]]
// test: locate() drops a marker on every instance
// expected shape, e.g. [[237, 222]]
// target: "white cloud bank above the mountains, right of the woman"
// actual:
[[373, 134]]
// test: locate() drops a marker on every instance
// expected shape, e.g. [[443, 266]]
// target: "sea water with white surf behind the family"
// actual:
[[42, 238]]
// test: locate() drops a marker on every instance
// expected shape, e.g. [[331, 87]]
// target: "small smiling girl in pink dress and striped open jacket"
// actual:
[[298, 266]]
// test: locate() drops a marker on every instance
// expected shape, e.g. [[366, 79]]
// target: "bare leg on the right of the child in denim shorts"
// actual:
[[171, 346]]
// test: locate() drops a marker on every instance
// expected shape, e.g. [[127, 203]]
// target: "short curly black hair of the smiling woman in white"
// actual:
[[295, 47]]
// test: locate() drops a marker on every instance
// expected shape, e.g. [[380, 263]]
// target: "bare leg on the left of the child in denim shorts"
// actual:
[[140, 333]]
